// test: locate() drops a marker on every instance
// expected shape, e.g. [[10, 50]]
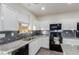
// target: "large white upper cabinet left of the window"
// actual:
[[9, 20]]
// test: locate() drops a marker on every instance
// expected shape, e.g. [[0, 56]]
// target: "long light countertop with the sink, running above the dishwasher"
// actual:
[[7, 48]]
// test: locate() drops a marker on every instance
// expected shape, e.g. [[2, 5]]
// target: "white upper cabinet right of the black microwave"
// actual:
[[69, 24]]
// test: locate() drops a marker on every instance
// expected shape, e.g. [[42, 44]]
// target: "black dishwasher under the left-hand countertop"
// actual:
[[22, 51]]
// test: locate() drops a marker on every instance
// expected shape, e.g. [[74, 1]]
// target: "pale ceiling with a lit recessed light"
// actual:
[[50, 8]]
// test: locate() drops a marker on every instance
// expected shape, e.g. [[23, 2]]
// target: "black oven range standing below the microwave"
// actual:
[[53, 45]]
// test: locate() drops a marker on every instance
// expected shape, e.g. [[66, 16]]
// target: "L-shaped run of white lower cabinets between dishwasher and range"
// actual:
[[35, 45]]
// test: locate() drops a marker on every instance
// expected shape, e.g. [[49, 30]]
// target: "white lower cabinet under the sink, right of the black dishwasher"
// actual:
[[34, 46]]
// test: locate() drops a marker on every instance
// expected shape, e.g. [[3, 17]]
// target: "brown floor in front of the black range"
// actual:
[[44, 51]]
